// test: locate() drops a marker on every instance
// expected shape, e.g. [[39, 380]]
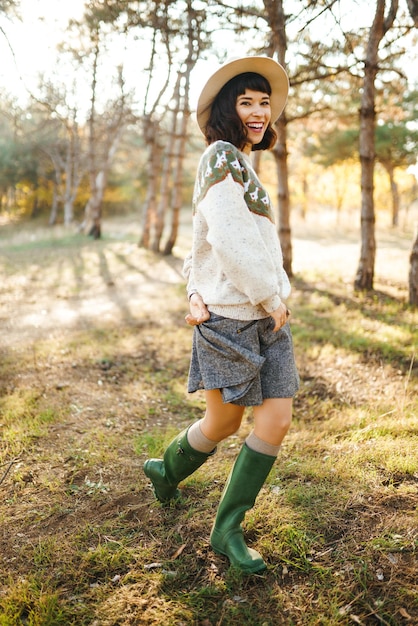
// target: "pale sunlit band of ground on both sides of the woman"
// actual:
[[116, 281]]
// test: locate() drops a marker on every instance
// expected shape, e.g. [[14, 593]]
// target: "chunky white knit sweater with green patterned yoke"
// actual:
[[236, 263]]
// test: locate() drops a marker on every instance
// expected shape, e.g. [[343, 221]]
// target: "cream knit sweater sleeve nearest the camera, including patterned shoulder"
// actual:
[[234, 236]]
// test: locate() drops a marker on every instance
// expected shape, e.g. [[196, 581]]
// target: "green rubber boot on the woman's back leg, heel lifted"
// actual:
[[179, 461]]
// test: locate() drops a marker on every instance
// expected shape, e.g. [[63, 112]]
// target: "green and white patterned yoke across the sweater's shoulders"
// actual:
[[226, 160]]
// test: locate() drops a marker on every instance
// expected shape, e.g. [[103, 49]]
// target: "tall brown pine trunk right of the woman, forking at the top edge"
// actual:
[[365, 271]]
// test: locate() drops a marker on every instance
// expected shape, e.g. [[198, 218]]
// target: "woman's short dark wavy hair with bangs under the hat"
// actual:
[[224, 122]]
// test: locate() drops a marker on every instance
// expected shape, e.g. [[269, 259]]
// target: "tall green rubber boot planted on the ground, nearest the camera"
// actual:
[[243, 485]]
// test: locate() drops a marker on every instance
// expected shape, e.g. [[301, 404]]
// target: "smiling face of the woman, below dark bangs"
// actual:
[[254, 111]]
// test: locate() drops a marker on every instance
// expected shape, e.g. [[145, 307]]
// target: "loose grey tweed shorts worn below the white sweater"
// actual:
[[247, 361]]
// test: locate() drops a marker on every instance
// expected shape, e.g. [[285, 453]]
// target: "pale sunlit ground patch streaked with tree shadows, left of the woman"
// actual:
[[104, 285]]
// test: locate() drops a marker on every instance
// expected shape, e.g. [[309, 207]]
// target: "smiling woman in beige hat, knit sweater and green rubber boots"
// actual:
[[242, 351]]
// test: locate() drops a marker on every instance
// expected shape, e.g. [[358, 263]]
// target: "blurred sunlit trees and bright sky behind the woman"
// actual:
[[110, 131]]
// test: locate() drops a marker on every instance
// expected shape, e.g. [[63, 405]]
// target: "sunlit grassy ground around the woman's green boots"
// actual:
[[83, 541]]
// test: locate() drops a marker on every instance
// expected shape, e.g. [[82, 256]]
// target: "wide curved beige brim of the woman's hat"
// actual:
[[266, 66]]
